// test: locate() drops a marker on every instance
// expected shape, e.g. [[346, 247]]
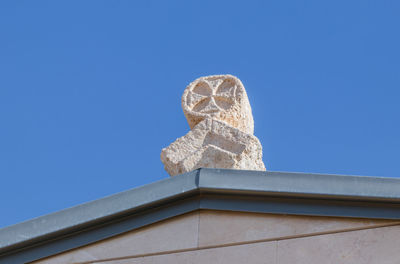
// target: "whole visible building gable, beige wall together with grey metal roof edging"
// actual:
[[222, 216]]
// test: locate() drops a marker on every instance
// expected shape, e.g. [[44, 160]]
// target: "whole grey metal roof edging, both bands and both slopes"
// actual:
[[217, 189]]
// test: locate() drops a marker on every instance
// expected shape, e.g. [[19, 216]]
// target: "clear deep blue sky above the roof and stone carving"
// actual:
[[90, 90]]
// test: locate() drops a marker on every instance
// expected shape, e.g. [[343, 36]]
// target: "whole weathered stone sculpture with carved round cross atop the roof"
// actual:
[[219, 115]]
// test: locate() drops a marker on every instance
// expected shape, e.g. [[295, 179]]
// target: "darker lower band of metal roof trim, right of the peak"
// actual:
[[302, 206]]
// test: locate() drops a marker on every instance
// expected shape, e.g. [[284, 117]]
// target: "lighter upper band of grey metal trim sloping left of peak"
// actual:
[[98, 210]]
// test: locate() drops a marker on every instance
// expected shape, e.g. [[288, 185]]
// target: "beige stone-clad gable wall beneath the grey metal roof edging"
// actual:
[[232, 237]]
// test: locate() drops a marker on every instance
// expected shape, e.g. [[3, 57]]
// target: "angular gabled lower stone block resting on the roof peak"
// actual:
[[213, 144]]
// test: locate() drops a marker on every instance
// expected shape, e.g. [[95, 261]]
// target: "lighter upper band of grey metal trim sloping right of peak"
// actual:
[[300, 184]]
